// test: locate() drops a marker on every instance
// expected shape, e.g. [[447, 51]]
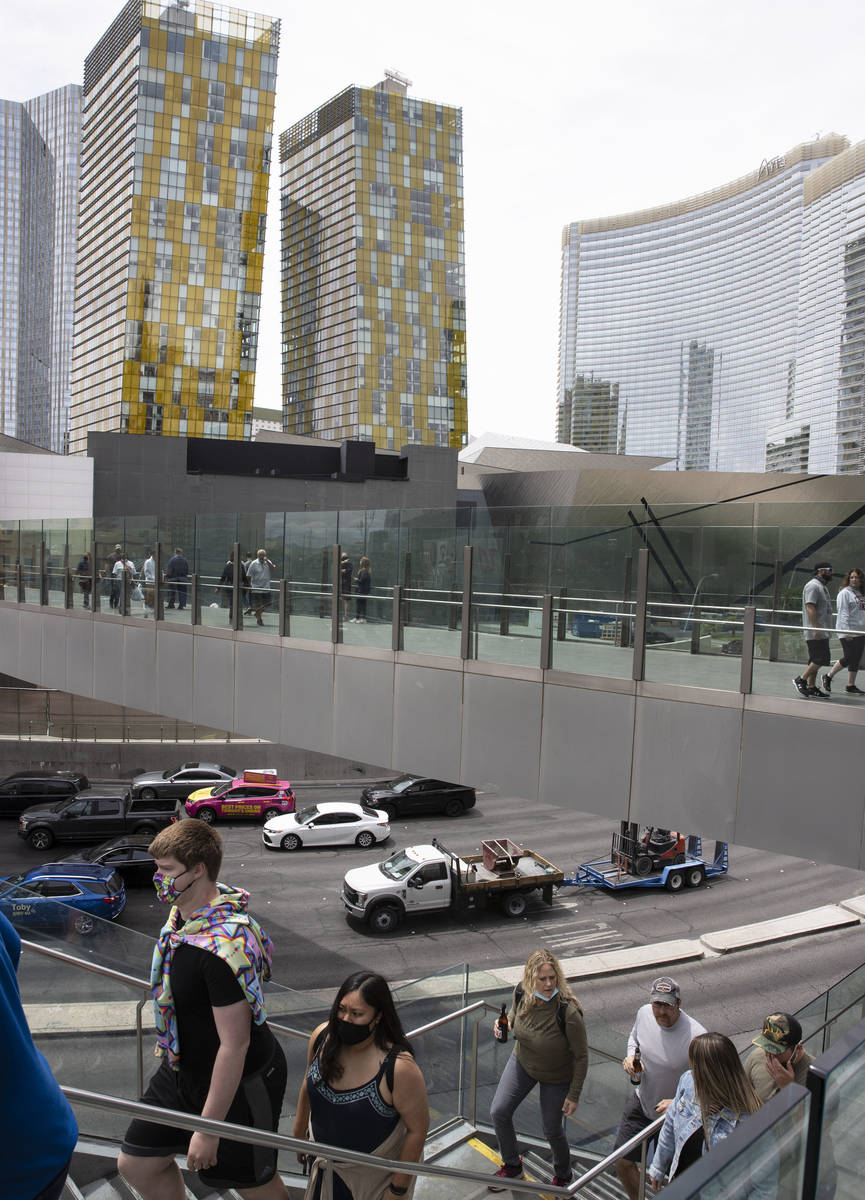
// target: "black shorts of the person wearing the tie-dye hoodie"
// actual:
[[257, 1103]]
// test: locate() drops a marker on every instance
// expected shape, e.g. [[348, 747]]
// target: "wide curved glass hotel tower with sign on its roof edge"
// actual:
[[725, 332]]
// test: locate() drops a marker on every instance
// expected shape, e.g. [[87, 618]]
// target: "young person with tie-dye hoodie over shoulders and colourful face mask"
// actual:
[[220, 1059]]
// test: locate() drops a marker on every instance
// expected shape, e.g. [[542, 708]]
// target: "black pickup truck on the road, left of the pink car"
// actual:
[[93, 815]]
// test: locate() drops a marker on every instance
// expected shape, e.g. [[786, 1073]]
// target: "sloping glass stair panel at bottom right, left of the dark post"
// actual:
[[764, 1159]]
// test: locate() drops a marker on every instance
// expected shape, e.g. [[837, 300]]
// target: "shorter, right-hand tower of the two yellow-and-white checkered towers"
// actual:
[[374, 286]]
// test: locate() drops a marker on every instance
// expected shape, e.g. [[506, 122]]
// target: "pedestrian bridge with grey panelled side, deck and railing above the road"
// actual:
[[674, 715]]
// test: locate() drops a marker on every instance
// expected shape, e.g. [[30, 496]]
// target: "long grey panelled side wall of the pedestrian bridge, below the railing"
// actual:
[[759, 771]]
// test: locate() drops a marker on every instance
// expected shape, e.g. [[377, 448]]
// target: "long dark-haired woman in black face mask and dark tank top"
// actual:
[[363, 1091]]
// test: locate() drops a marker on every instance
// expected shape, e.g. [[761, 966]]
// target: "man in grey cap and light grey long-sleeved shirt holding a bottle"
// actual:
[[663, 1033]]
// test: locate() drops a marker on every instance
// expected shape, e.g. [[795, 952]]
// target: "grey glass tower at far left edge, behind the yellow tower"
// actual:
[[39, 197]]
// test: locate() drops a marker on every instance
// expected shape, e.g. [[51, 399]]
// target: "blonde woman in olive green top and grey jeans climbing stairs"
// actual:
[[551, 1052]]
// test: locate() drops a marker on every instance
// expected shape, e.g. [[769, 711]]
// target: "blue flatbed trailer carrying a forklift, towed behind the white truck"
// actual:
[[686, 869]]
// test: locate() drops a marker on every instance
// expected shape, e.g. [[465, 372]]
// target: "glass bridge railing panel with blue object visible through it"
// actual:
[[593, 640]]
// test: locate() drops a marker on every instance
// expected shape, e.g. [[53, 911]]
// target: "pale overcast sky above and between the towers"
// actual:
[[570, 111]]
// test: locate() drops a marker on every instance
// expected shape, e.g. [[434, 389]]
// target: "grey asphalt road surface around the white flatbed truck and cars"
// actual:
[[296, 896]]
